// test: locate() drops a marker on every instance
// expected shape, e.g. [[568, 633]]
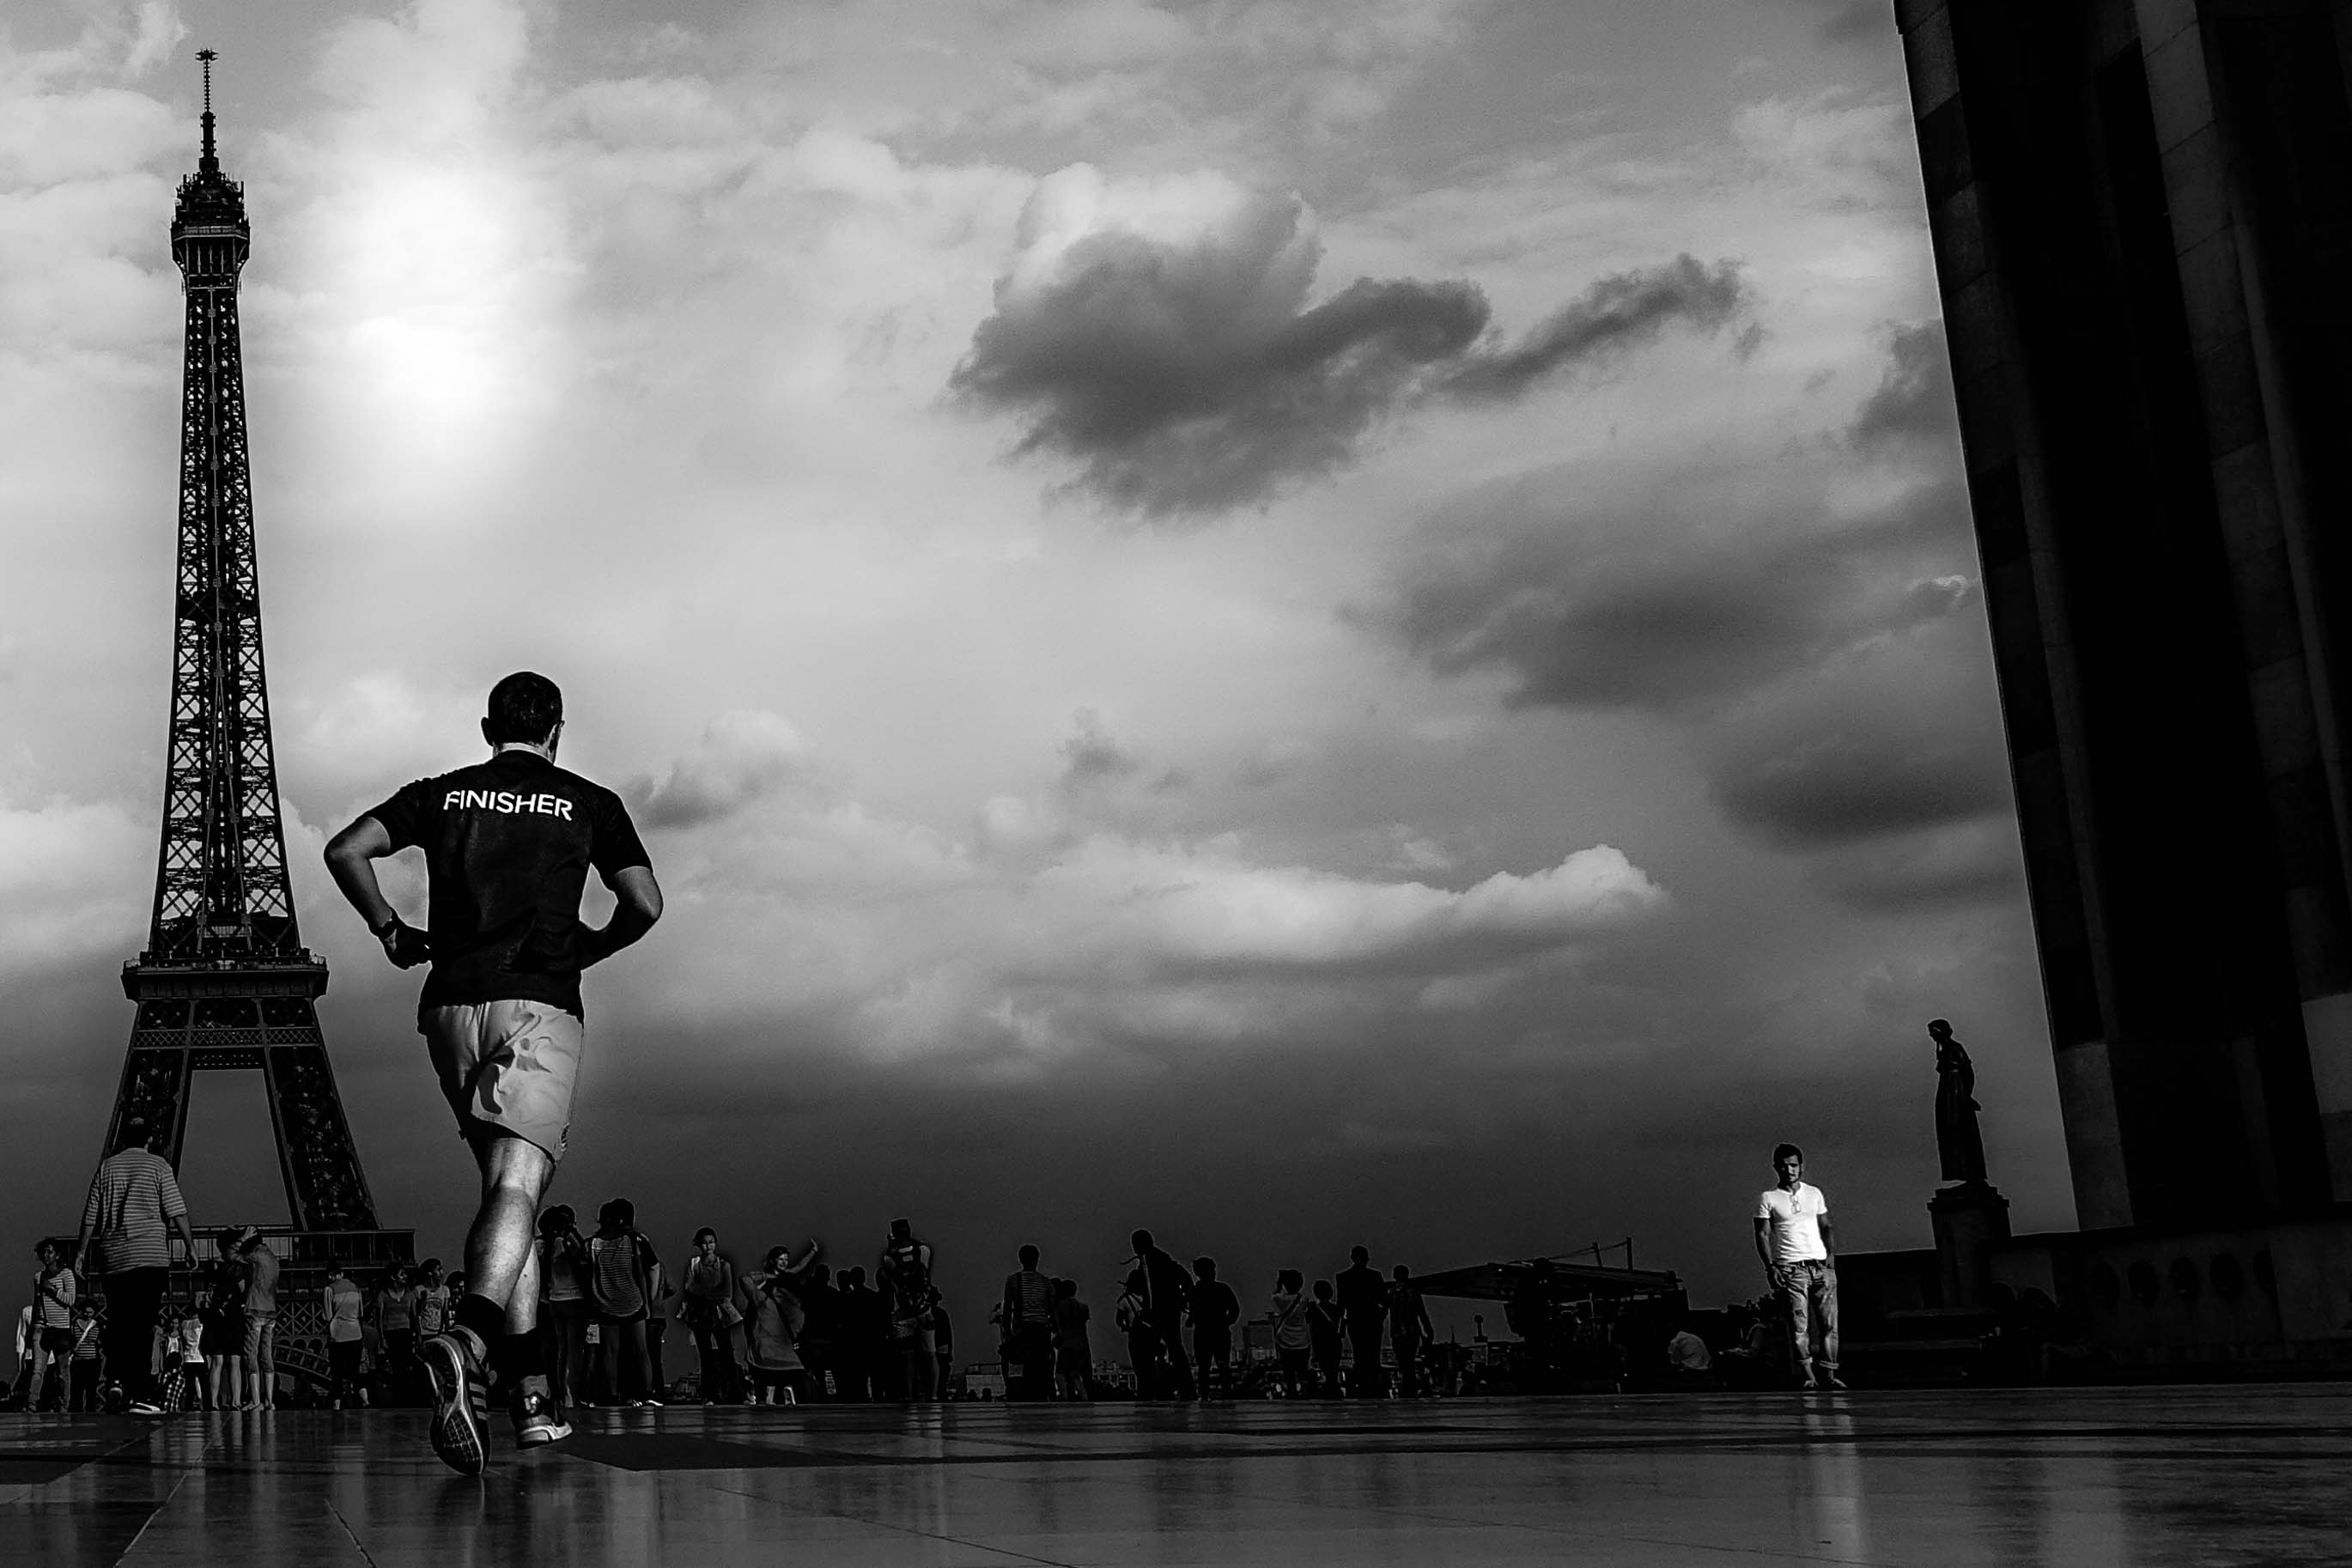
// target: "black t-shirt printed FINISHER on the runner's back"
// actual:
[[509, 845]]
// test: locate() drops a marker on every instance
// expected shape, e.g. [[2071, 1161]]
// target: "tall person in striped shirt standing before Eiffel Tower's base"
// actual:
[[128, 1224]]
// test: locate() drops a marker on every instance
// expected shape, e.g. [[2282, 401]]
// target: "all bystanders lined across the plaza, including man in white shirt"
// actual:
[[791, 1329]]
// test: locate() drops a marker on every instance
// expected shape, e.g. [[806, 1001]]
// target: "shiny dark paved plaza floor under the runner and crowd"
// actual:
[[2069, 1477]]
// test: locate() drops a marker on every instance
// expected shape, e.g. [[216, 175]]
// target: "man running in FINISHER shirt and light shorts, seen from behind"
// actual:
[[509, 845]]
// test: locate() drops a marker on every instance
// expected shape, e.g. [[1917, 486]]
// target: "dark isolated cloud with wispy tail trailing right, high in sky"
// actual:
[[1191, 380]]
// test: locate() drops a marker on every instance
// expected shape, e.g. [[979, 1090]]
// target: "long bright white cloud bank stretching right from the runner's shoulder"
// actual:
[[1053, 932]]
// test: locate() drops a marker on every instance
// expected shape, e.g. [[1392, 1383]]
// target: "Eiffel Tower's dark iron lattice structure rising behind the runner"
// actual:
[[225, 979]]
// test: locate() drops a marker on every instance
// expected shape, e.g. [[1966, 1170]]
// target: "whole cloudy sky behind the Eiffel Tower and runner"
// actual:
[[1297, 624]]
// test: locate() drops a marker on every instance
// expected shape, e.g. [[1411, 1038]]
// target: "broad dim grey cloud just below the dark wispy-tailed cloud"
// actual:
[[1681, 594]]
